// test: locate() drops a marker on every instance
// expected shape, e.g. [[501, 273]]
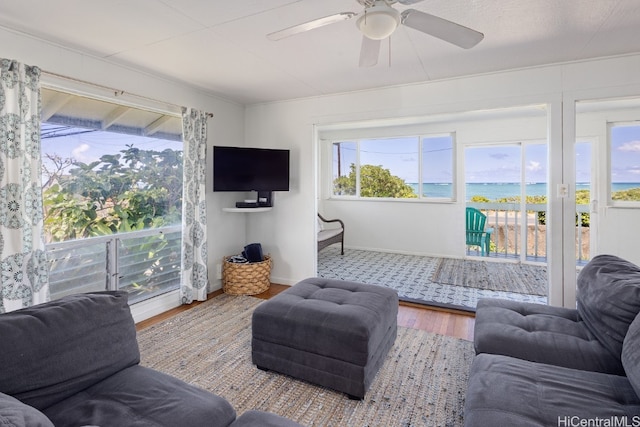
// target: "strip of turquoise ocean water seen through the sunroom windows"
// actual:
[[498, 190]]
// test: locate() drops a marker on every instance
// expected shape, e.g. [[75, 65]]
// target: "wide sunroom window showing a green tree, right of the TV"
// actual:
[[395, 168]]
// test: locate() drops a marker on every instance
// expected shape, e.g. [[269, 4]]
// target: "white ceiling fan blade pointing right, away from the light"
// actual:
[[448, 31]]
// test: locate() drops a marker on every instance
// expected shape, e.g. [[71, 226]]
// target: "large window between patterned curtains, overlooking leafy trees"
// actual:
[[112, 189]]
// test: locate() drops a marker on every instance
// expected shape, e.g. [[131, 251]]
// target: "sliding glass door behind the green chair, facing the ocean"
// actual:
[[508, 183]]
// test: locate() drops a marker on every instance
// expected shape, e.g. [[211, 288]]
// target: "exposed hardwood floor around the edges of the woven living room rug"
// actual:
[[458, 324]]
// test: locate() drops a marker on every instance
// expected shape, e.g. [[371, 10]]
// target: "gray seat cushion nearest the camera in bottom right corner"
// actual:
[[505, 391]]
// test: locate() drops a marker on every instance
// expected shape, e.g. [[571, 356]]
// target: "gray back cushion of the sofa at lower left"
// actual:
[[53, 350]]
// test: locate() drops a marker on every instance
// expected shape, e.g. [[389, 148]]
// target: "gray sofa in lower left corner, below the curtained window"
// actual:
[[75, 362]]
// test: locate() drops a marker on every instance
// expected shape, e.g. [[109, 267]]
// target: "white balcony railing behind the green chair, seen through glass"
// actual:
[[508, 239]]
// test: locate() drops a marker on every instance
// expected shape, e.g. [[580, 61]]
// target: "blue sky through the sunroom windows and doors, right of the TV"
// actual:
[[493, 163]]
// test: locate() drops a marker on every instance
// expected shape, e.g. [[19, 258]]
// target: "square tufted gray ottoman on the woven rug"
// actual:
[[329, 332]]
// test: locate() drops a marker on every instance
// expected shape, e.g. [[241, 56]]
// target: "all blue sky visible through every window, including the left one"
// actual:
[[400, 155]]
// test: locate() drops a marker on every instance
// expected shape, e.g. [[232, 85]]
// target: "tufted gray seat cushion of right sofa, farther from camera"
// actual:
[[540, 333]]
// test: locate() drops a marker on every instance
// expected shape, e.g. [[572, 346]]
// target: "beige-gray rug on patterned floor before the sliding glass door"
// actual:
[[496, 276]]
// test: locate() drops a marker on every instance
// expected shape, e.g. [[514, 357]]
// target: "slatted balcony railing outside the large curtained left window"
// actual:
[[145, 263]]
